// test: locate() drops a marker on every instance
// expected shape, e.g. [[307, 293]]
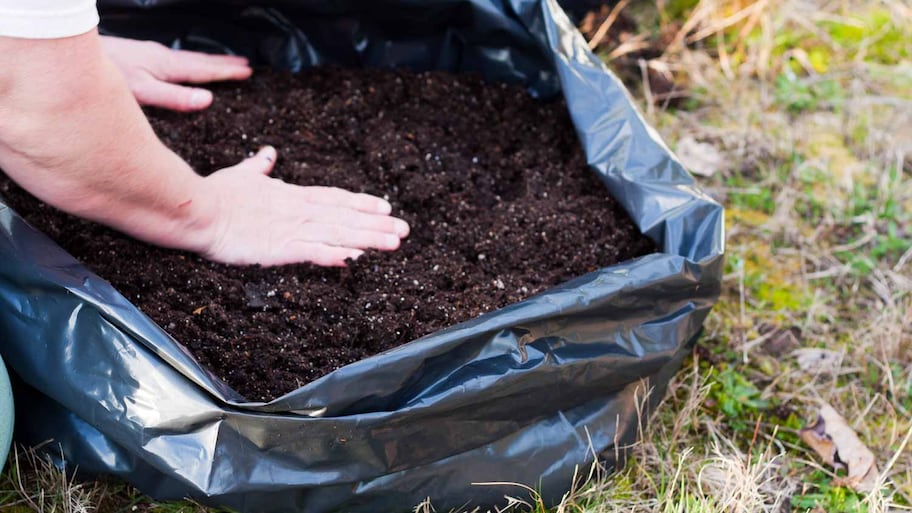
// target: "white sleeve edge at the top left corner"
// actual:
[[47, 19]]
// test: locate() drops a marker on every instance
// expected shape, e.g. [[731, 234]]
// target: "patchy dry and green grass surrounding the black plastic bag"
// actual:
[[809, 105]]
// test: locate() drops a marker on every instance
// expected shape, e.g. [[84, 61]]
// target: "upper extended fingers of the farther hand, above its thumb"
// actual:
[[198, 68]]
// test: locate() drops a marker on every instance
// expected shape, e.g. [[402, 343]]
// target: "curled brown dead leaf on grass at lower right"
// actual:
[[832, 438]]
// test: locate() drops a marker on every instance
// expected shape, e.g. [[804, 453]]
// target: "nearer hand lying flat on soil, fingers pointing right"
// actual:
[[249, 218]]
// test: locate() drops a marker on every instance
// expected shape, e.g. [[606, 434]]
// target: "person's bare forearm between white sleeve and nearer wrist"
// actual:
[[72, 135]]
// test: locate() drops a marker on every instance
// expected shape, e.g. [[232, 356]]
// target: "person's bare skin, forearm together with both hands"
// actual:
[[72, 134]]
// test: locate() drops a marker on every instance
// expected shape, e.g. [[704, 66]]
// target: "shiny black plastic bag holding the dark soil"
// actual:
[[524, 394]]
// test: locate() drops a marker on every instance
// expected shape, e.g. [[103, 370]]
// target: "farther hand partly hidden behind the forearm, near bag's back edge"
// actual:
[[153, 70]]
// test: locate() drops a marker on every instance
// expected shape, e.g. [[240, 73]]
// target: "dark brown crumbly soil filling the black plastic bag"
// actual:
[[493, 183]]
